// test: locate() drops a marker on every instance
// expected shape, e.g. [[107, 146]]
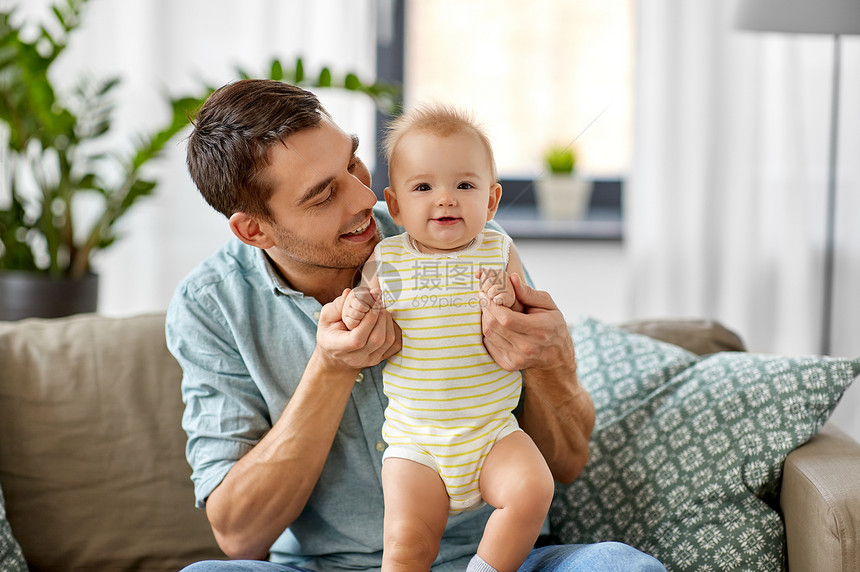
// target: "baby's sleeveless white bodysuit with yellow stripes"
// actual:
[[449, 401]]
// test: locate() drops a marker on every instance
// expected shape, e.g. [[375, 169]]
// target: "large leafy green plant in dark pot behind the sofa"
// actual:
[[53, 154]]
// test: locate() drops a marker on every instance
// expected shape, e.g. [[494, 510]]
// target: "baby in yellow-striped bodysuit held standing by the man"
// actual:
[[453, 441]]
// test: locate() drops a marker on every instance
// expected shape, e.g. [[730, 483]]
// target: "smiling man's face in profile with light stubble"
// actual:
[[321, 203]]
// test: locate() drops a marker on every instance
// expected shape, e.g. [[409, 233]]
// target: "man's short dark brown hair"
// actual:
[[228, 148]]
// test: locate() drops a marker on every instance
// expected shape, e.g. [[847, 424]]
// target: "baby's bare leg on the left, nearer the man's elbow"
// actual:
[[416, 511]]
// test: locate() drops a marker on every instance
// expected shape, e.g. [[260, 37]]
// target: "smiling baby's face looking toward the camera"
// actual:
[[442, 191]]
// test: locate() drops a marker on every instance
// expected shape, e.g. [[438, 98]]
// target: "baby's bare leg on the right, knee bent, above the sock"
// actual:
[[517, 482]]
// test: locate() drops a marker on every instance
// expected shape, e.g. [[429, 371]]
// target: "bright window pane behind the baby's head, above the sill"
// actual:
[[534, 73]]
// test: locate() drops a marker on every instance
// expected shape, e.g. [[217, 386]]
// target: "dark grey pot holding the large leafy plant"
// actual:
[[38, 295]]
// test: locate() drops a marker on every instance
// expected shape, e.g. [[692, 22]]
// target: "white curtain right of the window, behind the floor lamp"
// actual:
[[726, 202]]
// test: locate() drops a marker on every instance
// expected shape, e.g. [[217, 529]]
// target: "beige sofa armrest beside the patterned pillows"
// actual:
[[820, 499]]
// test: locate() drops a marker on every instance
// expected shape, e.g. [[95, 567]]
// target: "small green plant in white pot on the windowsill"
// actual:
[[561, 192]]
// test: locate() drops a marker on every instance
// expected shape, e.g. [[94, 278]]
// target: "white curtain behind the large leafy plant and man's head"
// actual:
[[176, 47]]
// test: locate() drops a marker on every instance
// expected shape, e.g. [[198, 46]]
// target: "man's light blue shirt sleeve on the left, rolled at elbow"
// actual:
[[225, 413]]
